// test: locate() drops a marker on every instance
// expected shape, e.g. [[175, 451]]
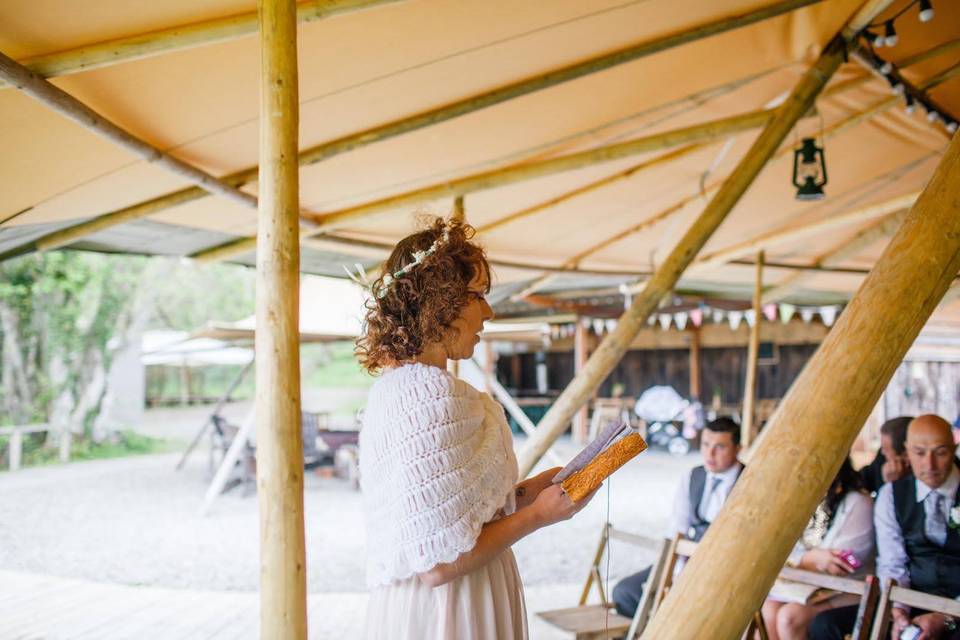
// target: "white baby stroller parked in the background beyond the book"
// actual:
[[672, 421]]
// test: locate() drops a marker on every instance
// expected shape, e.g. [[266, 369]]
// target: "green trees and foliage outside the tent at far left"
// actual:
[[65, 314]]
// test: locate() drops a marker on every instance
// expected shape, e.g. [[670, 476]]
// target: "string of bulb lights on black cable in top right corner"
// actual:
[[888, 38]]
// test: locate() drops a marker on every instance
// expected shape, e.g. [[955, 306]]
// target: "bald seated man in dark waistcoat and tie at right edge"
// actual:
[[917, 538]]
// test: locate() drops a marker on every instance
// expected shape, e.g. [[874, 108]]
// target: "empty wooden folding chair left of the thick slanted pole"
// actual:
[[598, 621]]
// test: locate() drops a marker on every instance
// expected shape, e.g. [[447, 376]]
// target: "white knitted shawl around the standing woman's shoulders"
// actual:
[[436, 464]]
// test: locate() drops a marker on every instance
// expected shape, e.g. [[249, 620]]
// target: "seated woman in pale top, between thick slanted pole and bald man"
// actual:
[[839, 540]]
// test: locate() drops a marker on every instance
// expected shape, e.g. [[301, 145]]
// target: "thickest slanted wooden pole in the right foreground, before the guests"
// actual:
[[815, 425]]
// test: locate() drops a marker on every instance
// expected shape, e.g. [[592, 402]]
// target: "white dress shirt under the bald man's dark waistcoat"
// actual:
[[892, 560]]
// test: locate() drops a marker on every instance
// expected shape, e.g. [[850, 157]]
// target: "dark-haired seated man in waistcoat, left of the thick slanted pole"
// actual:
[[699, 497]]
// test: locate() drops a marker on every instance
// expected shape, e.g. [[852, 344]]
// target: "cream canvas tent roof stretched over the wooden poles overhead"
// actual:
[[368, 66]]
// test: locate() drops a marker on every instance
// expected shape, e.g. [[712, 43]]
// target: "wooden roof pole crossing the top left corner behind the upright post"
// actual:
[[145, 45]]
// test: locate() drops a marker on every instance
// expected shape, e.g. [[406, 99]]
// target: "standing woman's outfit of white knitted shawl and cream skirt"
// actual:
[[437, 463]]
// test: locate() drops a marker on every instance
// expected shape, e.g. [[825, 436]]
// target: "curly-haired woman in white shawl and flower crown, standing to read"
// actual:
[[437, 467]]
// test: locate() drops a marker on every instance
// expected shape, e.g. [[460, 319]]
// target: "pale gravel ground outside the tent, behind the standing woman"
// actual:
[[136, 521]]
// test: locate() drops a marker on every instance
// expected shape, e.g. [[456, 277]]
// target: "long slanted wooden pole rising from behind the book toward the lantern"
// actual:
[[616, 343]]
